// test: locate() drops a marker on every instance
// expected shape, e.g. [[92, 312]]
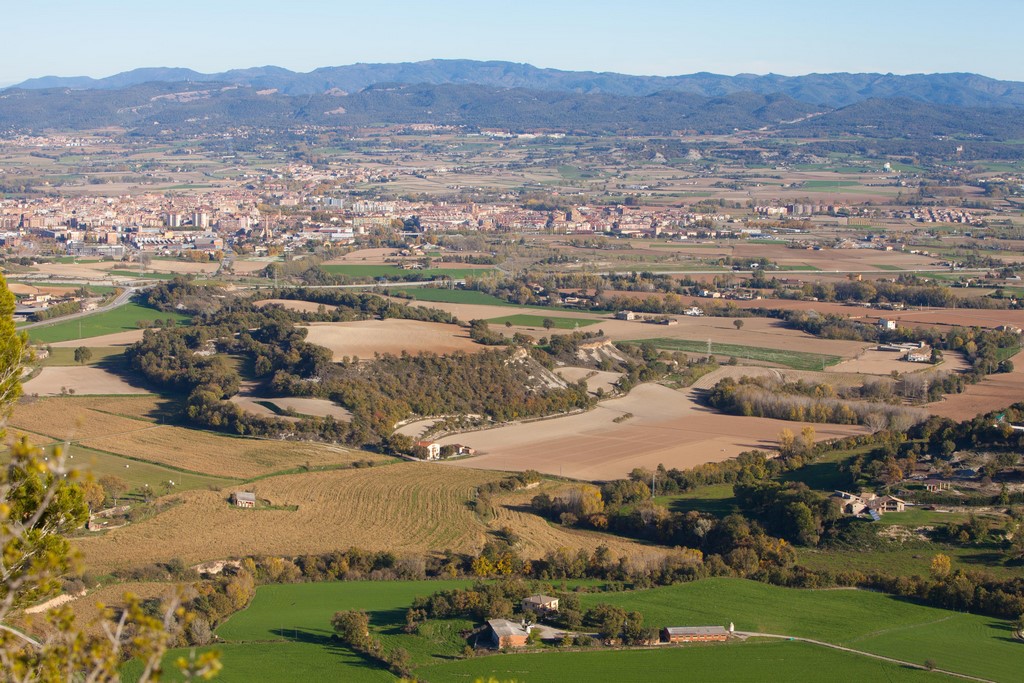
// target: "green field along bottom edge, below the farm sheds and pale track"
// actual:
[[739, 663]]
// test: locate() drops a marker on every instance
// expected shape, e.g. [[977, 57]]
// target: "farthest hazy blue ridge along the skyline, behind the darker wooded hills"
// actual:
[[824, 91]]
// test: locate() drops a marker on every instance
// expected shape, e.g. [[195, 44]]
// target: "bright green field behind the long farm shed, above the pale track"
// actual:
[[871, 622]]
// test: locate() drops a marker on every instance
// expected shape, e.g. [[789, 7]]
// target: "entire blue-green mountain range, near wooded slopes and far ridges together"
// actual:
[[914, 111]]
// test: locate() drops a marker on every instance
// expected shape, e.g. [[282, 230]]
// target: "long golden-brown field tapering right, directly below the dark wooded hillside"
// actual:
[[219, 455]]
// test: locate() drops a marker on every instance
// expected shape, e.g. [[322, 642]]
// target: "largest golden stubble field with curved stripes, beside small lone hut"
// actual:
[[416, 507]]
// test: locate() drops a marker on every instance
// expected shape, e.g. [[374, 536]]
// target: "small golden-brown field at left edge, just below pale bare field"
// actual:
[[74, 419]]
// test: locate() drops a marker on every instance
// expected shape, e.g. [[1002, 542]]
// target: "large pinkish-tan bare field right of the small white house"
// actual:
[[668, 428]]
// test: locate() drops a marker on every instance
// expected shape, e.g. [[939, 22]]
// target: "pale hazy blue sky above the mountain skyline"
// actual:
[[103, 37]]
